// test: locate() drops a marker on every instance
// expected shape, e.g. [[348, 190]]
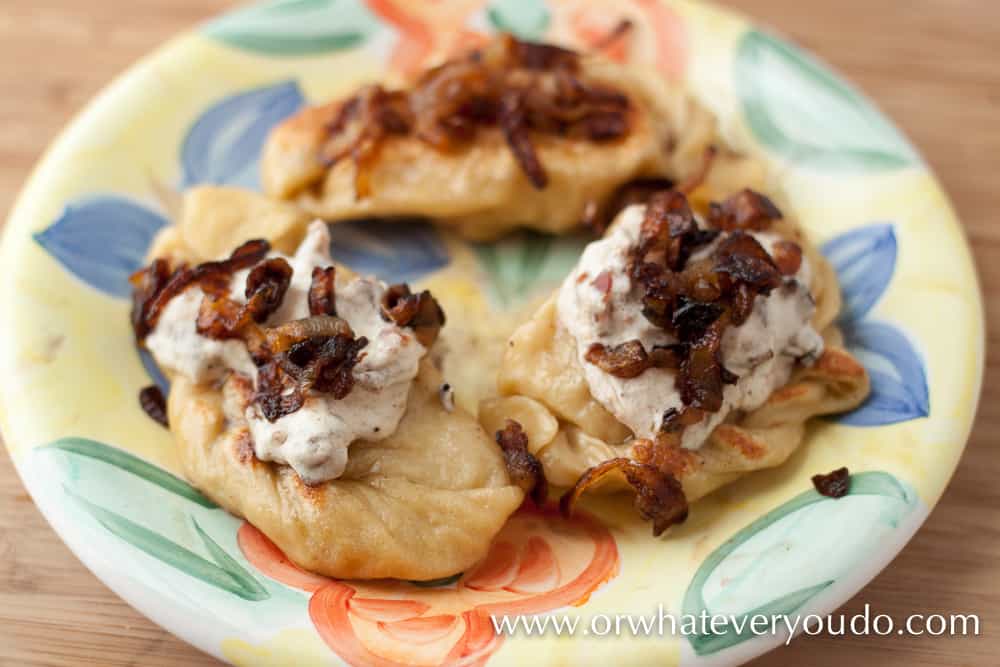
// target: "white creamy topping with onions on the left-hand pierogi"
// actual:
[[315, 438]]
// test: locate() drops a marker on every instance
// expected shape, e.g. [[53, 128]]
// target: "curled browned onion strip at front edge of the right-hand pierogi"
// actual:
[[659, 496]]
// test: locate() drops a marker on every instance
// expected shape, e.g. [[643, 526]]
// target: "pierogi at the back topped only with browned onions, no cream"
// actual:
[[517, 134]]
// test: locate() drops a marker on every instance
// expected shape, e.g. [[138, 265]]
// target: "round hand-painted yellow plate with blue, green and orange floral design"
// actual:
[[197, 111]]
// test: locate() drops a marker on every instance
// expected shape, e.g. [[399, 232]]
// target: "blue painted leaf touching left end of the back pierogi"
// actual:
[[224, 144]]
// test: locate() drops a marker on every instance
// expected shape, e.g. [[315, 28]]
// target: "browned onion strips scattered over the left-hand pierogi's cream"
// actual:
[[318, 352]]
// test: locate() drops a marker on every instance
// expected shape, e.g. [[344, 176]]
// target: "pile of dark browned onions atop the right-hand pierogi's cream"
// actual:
[[696, 301]]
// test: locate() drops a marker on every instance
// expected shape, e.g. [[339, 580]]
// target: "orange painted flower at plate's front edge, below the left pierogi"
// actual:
[[539, 562]]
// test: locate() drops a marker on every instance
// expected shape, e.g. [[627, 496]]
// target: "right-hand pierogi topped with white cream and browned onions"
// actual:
[[582, 406]]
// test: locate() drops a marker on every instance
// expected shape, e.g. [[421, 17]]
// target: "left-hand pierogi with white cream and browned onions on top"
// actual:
[[371, 474]]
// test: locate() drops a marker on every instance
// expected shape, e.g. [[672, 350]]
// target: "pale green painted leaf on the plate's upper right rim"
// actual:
[[800, 109]]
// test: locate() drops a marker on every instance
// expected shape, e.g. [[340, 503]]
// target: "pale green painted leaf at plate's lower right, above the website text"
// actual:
[[794, 552]]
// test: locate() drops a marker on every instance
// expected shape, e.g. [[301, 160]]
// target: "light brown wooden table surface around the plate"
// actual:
[[931, 64]]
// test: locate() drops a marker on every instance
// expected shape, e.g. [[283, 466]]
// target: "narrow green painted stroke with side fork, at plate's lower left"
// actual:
[[171, 553]]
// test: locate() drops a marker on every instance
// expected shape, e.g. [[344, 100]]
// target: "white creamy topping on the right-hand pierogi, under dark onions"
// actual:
[[762, 351]]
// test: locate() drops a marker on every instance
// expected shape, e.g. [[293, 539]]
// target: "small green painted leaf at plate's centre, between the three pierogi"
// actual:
[[524, 262]]
